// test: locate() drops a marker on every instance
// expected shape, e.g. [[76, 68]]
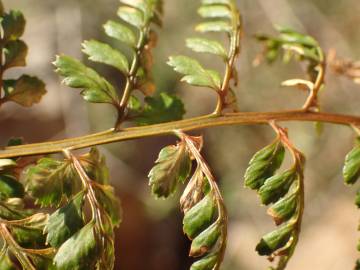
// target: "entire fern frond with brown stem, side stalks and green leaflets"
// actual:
[[60, 212]]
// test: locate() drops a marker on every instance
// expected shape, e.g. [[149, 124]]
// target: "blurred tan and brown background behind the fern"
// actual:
[[151, 234]]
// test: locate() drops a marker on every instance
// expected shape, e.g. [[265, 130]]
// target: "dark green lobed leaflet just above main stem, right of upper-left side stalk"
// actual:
[[158, 109]]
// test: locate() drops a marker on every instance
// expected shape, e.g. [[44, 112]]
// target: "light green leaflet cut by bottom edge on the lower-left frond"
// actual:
[[80, 252]]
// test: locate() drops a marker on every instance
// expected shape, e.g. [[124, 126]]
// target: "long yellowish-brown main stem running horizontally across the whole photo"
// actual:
[[110, 136]]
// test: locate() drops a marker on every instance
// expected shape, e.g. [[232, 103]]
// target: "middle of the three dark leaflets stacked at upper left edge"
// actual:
[[15, 52]]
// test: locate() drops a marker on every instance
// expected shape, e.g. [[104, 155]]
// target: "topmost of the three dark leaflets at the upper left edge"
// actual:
[[13, 25]]
